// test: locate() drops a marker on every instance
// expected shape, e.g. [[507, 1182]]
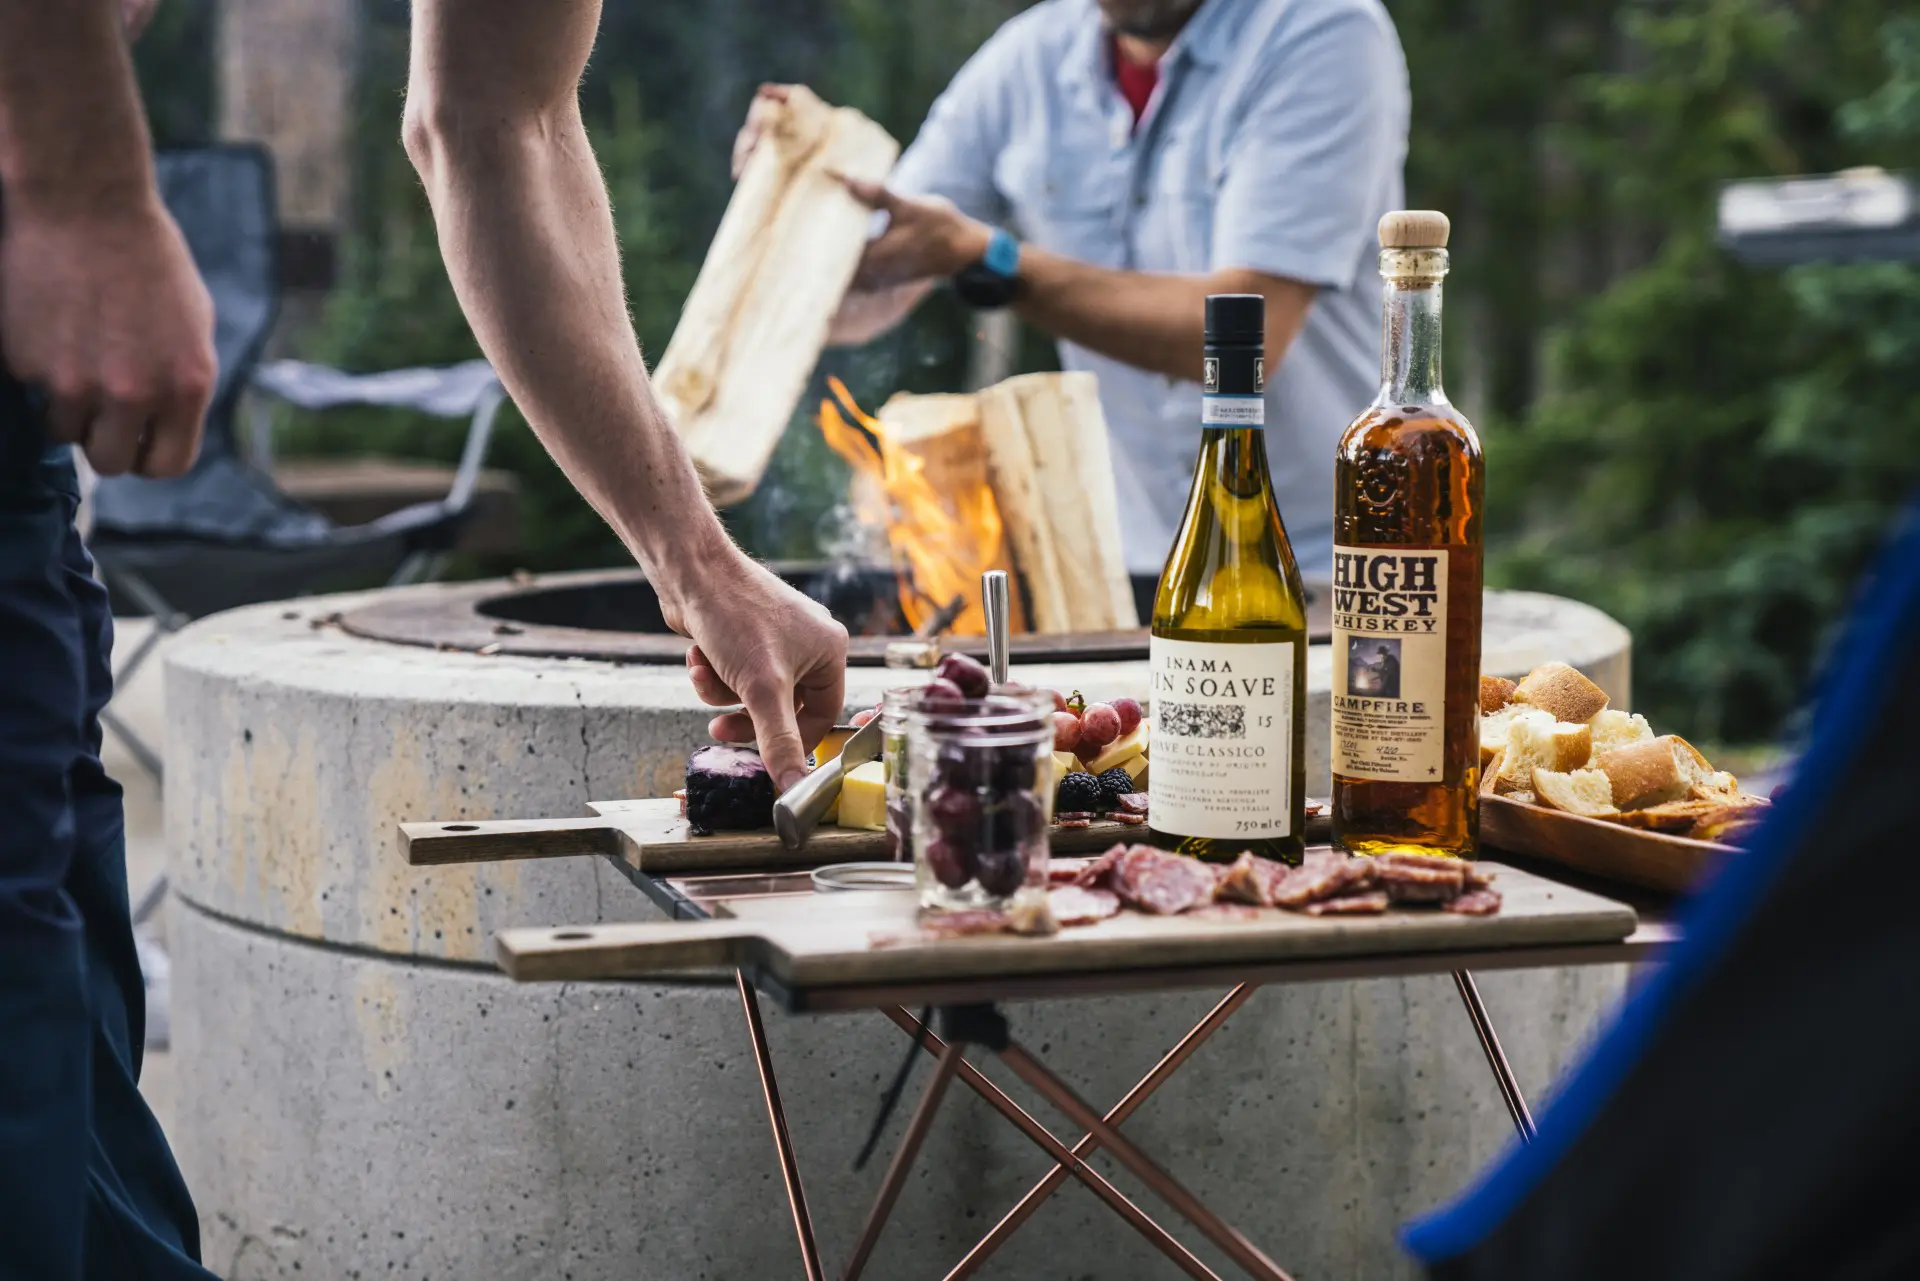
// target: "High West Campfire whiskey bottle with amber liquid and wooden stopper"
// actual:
[[1406, 583]]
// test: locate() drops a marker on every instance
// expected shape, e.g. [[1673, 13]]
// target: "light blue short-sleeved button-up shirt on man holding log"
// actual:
[[1274, 143]]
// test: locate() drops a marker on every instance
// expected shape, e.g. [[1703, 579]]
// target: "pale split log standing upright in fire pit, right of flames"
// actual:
[[1053, 477]]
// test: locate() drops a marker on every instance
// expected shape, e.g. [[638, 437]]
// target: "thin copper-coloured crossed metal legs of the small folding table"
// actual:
[[986, 1027]]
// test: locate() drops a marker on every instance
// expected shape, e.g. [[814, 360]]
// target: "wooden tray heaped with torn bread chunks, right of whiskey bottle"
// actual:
[[1568, 779]]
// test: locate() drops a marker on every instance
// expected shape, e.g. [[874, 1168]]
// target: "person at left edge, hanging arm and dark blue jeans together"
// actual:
[[101, 312]]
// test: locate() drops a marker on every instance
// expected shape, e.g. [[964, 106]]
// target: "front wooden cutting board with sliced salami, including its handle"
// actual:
[[871, 936]]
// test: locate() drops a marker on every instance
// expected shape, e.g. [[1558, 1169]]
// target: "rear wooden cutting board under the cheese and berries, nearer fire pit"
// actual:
[[652, 836]]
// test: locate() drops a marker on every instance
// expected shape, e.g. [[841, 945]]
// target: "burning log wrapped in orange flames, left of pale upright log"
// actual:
[[930, 493]]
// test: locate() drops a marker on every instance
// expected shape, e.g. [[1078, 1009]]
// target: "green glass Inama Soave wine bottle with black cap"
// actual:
[[1230, 637]]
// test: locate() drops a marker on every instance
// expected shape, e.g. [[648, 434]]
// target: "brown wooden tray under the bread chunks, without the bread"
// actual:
[[1629, 856]]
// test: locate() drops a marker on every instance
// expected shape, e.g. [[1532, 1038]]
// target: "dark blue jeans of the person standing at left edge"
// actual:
[[87, 1184]]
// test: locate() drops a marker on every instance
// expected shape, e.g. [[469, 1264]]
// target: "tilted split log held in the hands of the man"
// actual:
[[775, 276]]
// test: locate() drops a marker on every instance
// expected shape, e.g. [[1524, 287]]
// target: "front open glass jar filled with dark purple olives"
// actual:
[[980, 781]]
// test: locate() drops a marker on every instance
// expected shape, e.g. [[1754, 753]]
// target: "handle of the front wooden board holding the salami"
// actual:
[[625, 952]]
